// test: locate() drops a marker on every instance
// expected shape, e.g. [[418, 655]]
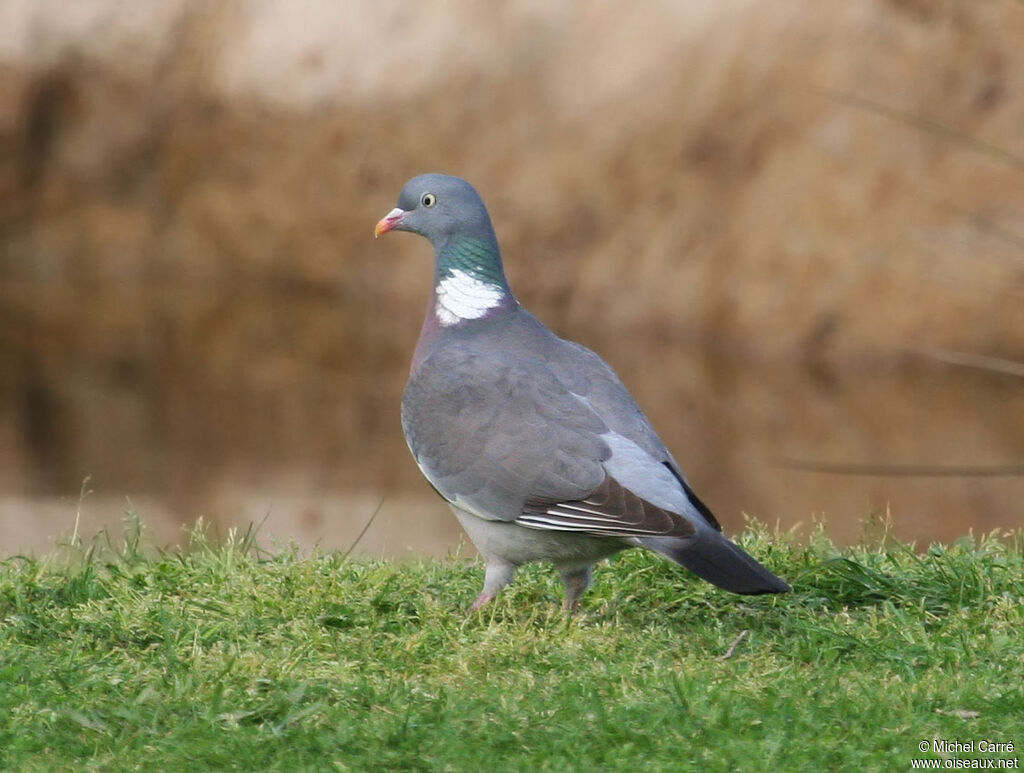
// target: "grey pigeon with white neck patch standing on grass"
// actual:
[[535, 443]]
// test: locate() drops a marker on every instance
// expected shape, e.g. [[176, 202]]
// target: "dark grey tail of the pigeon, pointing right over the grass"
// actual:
[[718, 561]]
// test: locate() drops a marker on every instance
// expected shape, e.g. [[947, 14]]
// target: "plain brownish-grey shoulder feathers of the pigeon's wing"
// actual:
[[490, 437]]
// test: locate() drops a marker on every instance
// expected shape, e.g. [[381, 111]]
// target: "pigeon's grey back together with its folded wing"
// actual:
[[519, 425]]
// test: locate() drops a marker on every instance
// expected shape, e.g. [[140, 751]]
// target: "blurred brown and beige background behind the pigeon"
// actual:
[[795, 229]]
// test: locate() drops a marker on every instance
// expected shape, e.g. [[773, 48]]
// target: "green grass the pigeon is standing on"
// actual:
[[228, 658]]
